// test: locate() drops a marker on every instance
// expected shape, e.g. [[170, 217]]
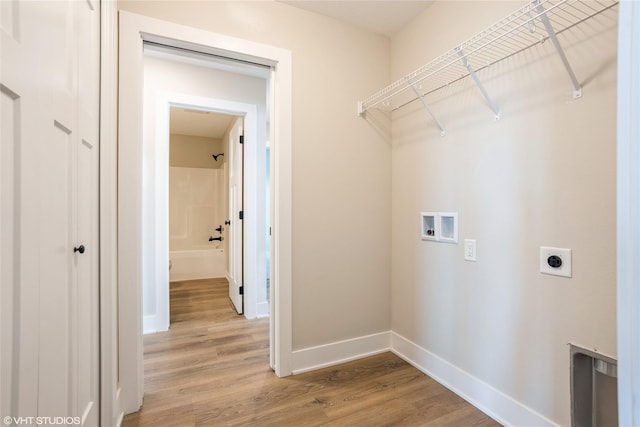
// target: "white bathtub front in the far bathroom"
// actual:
[[197, 263]]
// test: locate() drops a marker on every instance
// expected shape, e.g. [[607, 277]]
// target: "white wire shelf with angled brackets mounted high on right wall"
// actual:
[[532, 24]]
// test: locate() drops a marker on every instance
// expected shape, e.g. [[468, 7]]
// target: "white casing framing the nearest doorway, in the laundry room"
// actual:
[[133, 30]]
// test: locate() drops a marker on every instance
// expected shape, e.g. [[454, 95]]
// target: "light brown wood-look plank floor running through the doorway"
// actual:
[[212, 369]]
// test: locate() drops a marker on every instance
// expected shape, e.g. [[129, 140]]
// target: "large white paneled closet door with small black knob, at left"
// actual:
[[49, 253]]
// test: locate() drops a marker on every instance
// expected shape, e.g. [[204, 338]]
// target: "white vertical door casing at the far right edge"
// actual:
[[628, 211]]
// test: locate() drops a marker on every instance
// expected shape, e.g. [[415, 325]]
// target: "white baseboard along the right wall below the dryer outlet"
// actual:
[[489, 400]]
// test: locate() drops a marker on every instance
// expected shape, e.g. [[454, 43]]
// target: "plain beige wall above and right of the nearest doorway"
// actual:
[[341, 180]]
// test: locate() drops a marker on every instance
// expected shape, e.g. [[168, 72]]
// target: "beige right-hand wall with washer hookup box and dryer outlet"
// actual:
[[544, 175]]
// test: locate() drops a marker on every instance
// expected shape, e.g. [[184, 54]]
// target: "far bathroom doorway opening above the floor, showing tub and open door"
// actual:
[[205, 239]]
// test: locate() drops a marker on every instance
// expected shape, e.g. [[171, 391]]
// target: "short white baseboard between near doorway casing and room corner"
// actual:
[[322, 356]]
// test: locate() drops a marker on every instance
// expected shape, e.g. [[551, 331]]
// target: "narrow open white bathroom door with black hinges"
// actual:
[[236, 160]]
